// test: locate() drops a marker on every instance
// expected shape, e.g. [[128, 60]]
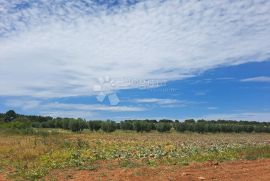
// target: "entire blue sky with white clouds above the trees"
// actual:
[[136, 59]]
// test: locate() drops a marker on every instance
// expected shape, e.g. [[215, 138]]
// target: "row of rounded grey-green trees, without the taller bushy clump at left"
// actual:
[[200, 126]]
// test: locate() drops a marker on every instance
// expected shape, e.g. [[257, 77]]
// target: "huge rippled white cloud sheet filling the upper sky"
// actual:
[[58, 50]]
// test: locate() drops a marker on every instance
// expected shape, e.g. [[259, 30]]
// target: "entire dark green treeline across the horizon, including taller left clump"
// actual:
[[13, 120]]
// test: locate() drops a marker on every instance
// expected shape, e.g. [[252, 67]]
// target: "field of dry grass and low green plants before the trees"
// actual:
[[52, 154]]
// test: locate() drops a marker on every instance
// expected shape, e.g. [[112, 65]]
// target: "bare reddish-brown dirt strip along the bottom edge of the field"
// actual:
[[256, 170]]
